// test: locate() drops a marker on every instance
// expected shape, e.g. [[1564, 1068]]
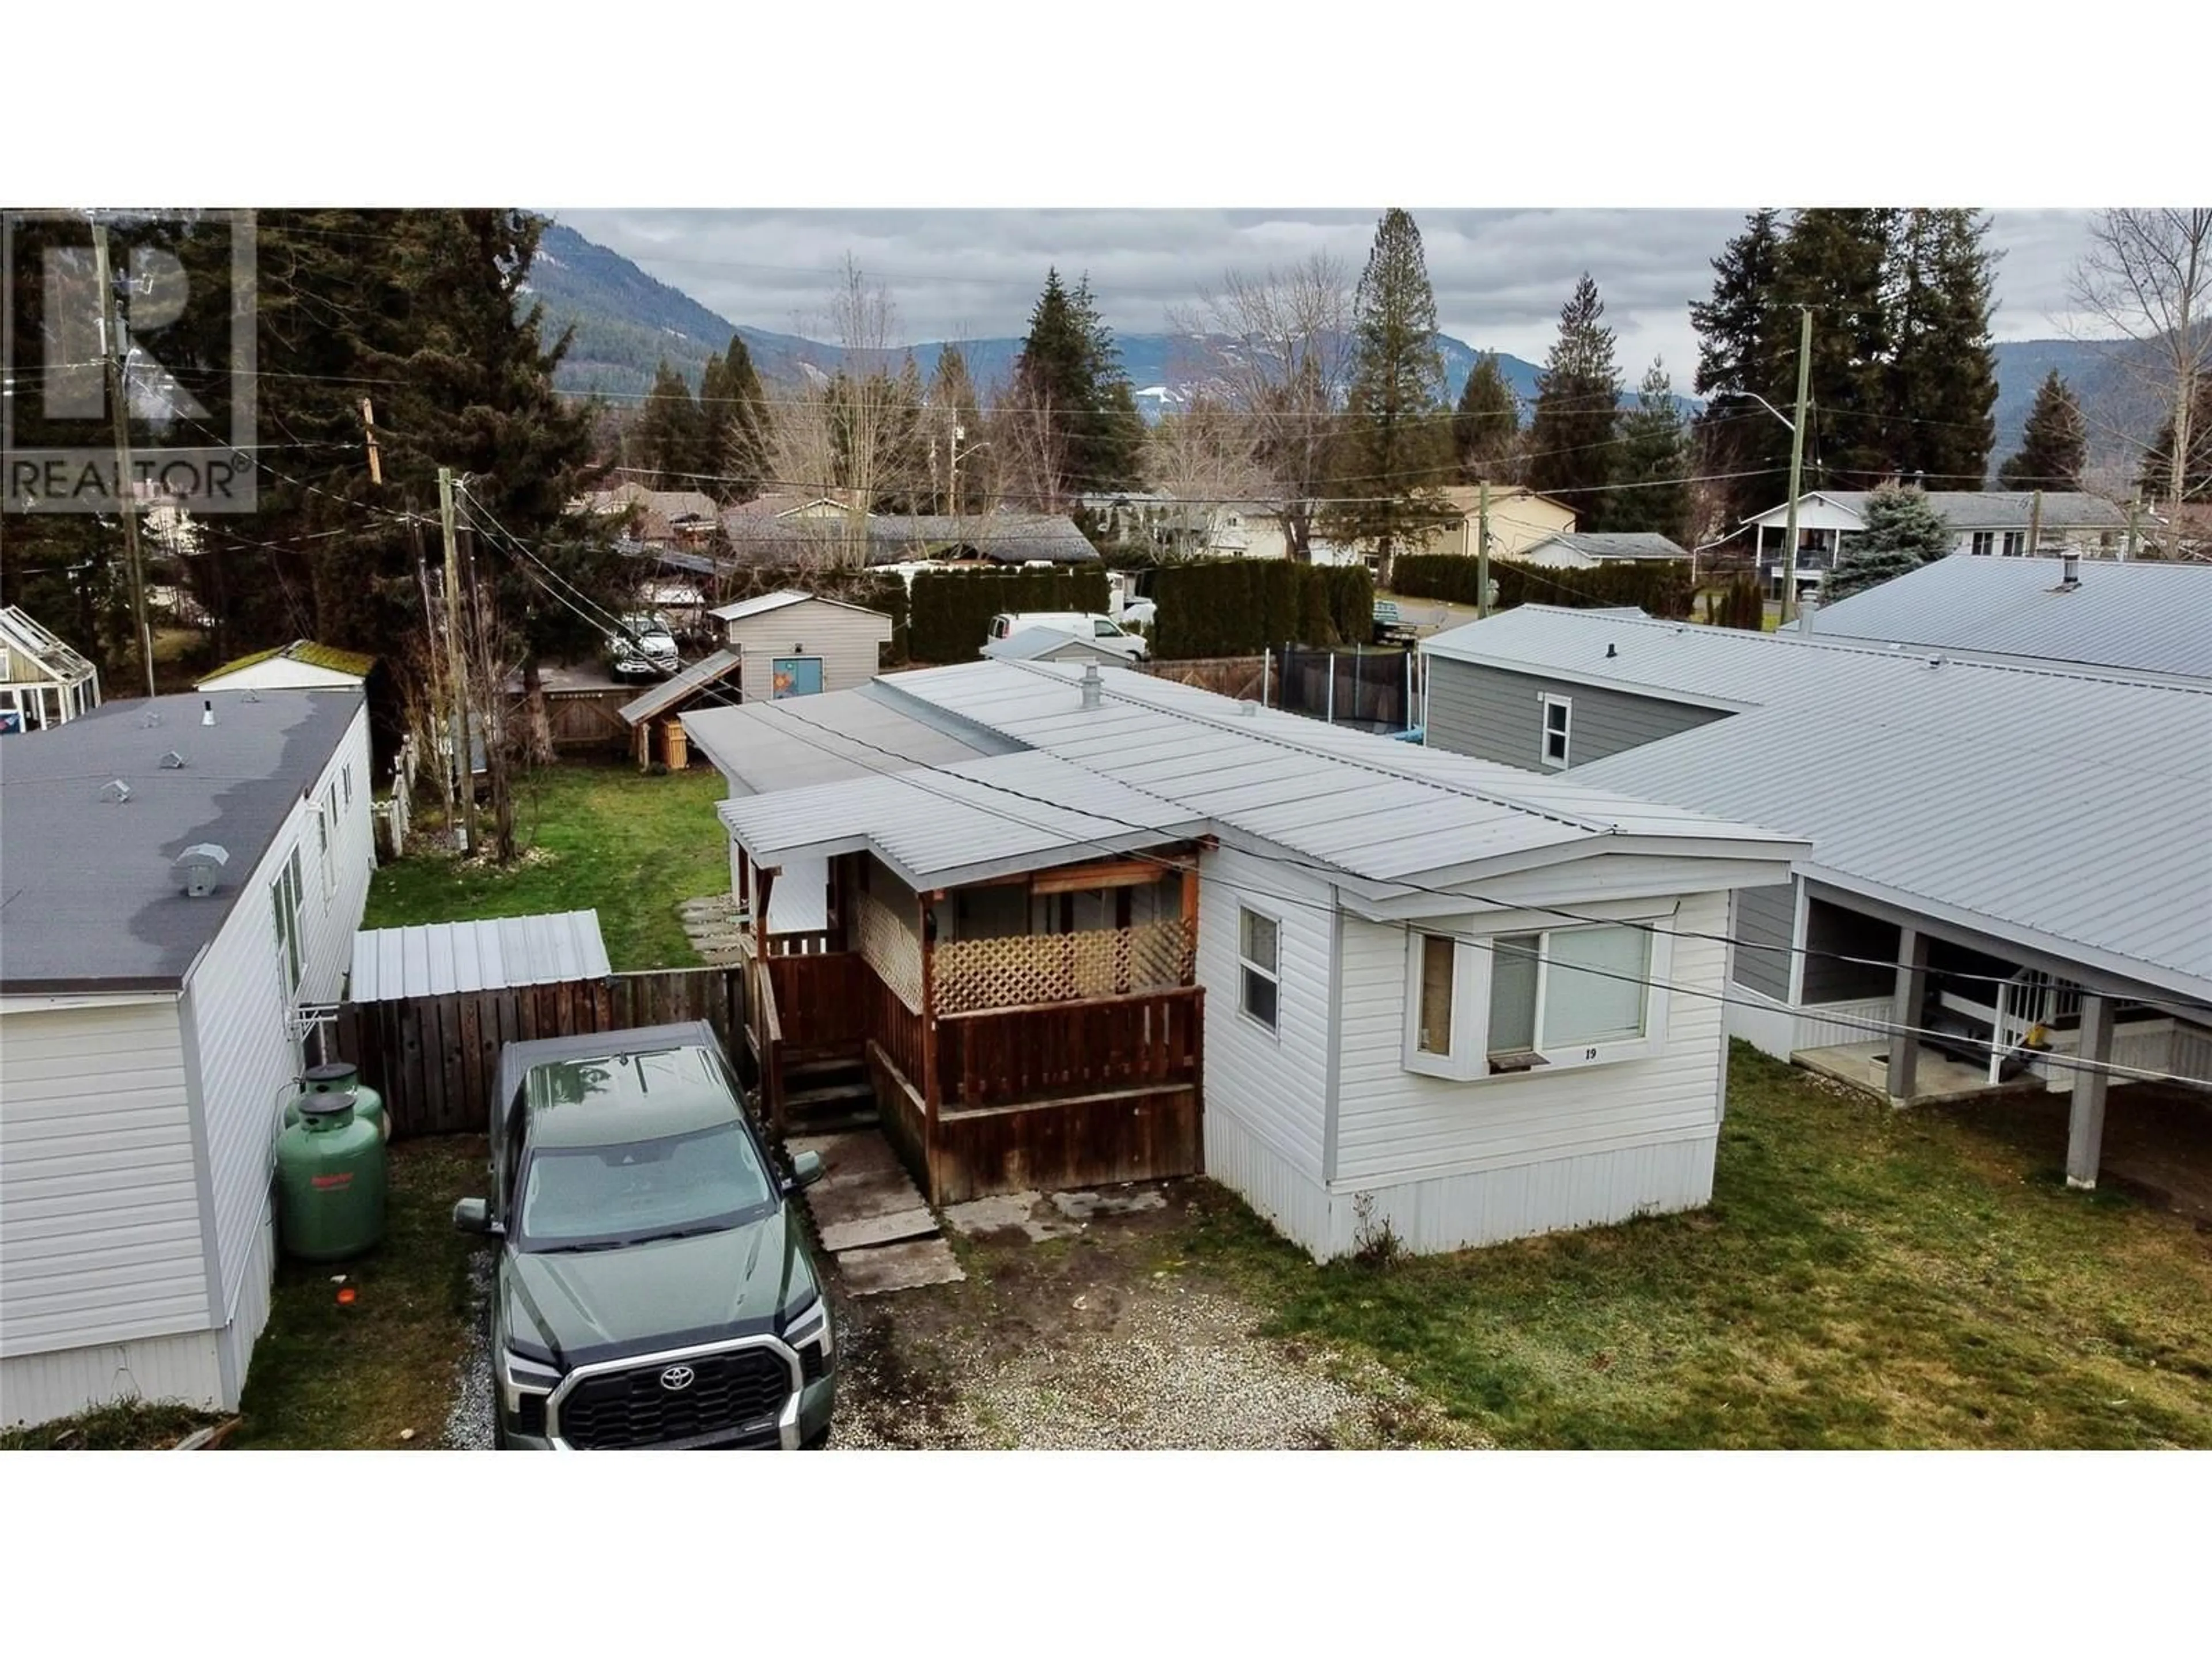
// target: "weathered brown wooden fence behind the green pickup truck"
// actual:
[[435, 1058]]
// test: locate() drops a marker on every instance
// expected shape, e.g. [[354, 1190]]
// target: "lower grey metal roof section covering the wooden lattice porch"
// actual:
[[959, 824]]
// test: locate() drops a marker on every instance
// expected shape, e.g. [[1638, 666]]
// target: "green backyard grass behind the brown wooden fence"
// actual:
[[601, 837]]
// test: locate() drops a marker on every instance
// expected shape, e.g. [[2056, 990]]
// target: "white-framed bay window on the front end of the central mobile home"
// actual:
[[1512, 1003]]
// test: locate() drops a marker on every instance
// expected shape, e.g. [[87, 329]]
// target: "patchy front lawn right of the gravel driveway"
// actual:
[[1861, 1280]]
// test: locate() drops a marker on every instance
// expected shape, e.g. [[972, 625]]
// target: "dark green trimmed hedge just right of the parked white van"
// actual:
[[1240, 607]]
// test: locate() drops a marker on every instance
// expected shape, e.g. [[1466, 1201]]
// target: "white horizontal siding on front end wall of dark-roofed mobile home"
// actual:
[[101, 1224]]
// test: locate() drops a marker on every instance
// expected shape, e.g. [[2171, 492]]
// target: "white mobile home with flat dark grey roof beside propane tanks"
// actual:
[[149, 1039]]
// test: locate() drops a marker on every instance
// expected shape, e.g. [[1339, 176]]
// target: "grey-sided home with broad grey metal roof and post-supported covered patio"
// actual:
[[1999, 844]]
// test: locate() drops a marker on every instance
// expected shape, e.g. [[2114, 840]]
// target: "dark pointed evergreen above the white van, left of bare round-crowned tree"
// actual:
[[1070, 382]]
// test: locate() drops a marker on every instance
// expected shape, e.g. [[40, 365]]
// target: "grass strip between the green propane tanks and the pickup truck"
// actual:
[[331, 1375]]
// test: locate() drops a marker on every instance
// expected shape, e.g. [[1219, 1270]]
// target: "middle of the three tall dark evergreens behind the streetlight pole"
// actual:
[[1837, 260]]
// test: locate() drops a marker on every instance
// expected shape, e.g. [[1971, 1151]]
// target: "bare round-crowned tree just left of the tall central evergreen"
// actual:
[[1277, 348]]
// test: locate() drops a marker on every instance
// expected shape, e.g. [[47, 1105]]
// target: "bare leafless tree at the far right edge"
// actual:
[[2149, 278]]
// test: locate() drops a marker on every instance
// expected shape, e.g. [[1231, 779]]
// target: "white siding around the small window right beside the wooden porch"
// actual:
[[1273, 1085]]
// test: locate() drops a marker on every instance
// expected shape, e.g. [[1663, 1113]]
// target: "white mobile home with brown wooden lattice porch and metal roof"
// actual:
[[1087, 926]]
